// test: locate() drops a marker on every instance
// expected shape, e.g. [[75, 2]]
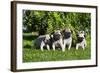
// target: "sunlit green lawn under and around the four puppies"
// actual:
[[36, 55]]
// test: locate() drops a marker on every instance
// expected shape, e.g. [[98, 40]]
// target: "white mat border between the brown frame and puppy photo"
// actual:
[[21, 65]]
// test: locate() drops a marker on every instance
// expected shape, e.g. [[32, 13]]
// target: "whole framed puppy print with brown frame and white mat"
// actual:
[[47, 36]]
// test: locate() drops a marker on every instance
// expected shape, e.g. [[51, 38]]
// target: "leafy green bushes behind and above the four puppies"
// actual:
[[47, 21]]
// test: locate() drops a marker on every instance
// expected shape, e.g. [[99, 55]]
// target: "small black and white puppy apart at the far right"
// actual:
[[81, 41]]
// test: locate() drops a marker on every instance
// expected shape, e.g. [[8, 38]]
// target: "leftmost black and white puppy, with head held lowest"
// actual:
[[43, 41]]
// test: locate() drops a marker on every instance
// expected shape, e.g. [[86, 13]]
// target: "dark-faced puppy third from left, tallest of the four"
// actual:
[[67, 38]]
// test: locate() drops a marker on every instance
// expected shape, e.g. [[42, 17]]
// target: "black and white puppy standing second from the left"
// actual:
[[57, 40]]
